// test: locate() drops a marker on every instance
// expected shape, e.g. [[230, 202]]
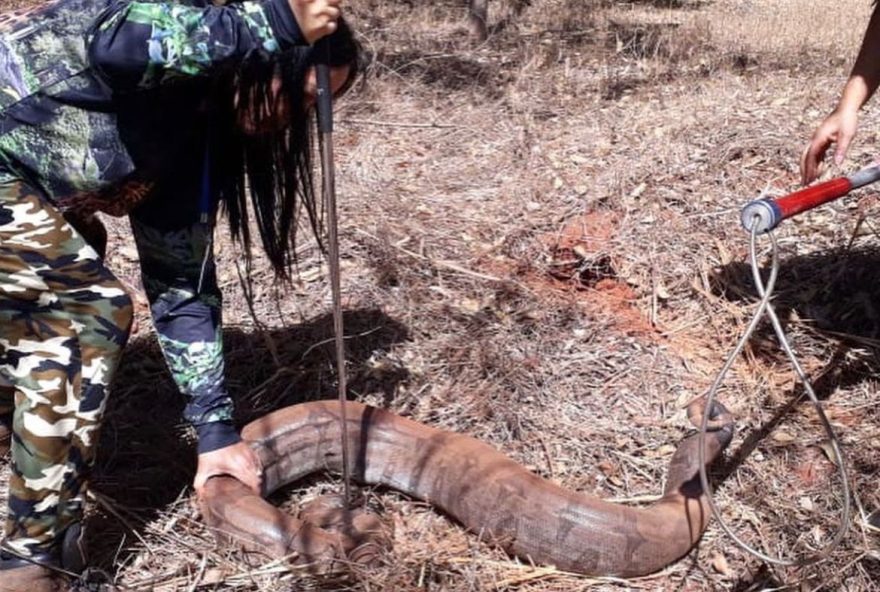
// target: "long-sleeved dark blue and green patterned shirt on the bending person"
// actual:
[[100, 102]]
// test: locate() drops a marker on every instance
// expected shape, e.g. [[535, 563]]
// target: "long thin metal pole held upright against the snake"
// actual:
[[325, 126]]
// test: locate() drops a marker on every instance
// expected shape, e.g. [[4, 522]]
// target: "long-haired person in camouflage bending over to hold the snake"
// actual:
[[167, 112]]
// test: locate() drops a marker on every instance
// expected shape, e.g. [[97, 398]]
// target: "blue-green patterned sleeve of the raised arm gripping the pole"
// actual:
[[136, 45]]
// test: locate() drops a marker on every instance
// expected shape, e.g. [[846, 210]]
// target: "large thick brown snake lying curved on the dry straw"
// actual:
[[487, 492]]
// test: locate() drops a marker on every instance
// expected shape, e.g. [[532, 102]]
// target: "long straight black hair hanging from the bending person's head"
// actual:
[[275, 166]]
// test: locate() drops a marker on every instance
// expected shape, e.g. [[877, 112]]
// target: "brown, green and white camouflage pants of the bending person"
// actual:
[[64, 319]]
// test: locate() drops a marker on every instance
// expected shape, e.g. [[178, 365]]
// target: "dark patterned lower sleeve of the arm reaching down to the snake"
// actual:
[[178, 273]]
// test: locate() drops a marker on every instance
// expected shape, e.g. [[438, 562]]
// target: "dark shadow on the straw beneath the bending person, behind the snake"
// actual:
[[146, 458]]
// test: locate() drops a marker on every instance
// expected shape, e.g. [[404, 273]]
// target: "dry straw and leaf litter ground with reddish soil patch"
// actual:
[[540, 248]]
